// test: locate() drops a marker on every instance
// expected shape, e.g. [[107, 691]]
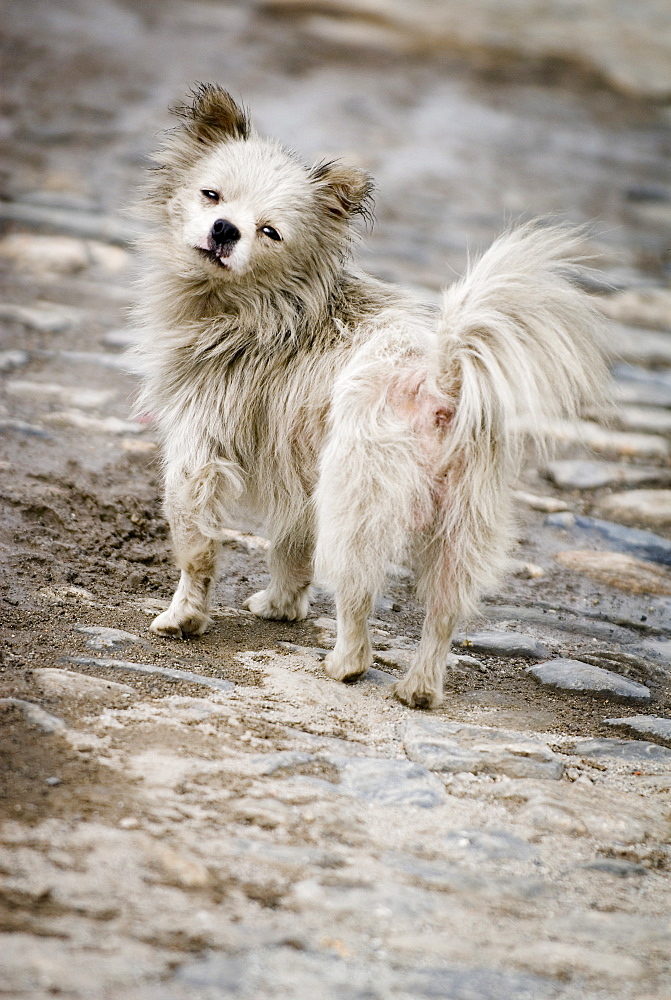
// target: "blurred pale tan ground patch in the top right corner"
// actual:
[[632, 54]]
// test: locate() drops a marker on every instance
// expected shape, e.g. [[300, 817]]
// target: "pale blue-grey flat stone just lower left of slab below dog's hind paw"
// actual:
[[388, 782]]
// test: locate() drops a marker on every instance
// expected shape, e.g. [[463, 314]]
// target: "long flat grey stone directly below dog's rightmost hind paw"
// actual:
[[454, 747]]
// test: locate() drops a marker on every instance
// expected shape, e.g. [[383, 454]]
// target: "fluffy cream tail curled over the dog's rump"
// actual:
[[520, 341]]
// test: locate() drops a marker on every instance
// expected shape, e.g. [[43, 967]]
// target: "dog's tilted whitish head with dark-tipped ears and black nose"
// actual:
[[237, 206]]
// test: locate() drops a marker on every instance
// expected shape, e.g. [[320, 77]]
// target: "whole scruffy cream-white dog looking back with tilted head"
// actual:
[[359, 426]]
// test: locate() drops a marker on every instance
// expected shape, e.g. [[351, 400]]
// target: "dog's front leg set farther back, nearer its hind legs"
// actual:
[[287, 597]]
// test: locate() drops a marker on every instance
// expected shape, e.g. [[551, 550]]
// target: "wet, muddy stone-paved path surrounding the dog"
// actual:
[[215, 818]]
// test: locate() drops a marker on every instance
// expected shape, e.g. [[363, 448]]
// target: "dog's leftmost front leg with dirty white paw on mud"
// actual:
[[198, 558]]
